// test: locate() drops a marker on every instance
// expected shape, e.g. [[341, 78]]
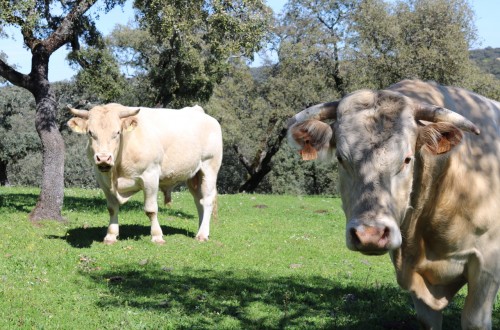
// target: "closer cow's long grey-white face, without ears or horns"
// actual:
[[375, 137]]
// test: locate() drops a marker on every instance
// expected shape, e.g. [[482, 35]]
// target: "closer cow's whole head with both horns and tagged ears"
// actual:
[[375, 136]]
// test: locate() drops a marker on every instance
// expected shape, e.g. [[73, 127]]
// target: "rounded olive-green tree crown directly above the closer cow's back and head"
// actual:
[[424, 39]]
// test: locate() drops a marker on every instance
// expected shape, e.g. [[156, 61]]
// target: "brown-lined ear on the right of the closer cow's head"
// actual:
[[439, 138]]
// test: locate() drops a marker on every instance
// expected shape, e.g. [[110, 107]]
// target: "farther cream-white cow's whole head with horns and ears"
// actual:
[[104, 126]]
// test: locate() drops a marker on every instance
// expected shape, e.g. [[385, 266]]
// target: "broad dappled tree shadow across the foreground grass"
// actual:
[[255, 301]]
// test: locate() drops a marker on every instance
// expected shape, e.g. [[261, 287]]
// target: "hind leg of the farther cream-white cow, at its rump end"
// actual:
[[203, 188]]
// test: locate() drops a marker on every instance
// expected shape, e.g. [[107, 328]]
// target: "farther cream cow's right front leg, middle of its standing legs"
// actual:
[[151, 208]]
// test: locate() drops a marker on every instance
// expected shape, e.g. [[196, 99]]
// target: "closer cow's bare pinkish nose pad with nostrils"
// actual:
[[370, 239]]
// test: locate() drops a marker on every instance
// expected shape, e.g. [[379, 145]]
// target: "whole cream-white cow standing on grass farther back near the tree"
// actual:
[[137, 148]]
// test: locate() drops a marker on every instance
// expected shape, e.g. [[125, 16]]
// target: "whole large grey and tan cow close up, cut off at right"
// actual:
[[418, 180]]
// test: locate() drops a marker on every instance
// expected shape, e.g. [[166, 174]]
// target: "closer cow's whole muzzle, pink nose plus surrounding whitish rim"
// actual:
[[373, 239]]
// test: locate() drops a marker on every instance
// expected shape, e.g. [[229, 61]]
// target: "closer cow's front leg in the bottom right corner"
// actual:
[[482, 290]]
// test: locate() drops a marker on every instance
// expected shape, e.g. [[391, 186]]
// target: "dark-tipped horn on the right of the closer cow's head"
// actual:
[[432, 113]]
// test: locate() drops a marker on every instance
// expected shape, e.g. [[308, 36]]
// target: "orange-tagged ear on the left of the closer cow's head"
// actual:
[[310, 137]]
